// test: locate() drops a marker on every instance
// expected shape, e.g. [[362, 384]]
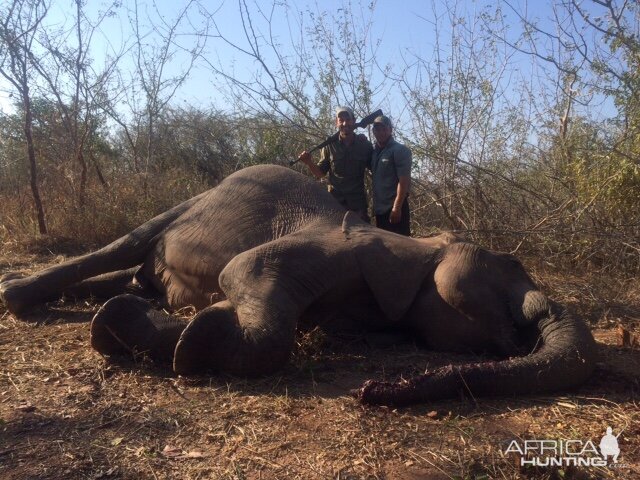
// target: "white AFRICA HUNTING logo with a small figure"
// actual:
[[564, 453]]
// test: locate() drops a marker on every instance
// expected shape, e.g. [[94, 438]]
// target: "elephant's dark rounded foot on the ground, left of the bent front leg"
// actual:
[[129, 324]]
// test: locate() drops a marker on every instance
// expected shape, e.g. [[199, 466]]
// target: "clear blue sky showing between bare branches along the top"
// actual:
[[405, 30]]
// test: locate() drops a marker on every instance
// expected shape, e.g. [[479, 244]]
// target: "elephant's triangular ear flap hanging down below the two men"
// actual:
[[394, 266]]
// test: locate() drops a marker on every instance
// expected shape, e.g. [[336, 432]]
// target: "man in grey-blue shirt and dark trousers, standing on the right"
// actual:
[[391, 170]]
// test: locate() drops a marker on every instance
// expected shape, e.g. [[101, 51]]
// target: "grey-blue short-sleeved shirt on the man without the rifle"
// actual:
[[387, 165]]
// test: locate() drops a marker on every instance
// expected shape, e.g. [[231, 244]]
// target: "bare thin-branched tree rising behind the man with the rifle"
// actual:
[[303, 71]]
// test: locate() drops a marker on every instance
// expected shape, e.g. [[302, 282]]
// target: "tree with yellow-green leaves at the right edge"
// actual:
[[594, 49]]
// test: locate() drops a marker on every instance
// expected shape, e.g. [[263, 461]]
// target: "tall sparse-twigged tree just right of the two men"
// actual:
[[468, 125]]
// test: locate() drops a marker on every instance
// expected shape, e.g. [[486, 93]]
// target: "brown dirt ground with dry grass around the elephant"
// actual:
[[66, 412]]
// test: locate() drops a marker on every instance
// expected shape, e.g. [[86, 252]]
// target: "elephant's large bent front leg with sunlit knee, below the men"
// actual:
[[267, 289]]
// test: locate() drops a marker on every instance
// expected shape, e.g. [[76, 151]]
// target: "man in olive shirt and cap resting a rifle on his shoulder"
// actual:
[[345, 161]]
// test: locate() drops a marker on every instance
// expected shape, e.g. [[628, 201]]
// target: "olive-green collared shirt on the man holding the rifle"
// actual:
[[346, 165]]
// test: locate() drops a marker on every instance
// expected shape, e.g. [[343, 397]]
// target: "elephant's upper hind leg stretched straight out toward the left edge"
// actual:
[[20, 294]]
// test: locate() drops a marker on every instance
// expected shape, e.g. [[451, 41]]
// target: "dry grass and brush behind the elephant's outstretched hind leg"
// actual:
[[106, 214]]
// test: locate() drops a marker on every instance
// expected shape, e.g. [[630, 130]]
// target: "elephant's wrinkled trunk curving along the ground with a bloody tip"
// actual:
[[565, 359]]
